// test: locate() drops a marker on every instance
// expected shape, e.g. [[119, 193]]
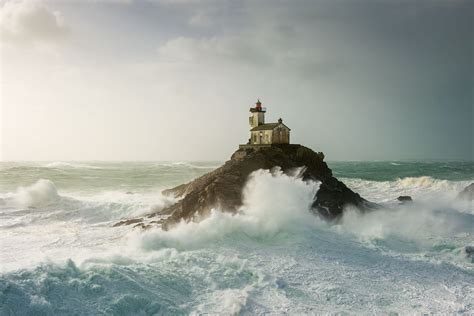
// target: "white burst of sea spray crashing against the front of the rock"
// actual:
[[272, 202]]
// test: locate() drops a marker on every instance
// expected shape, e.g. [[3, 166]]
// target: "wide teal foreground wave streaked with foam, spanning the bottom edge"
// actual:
[[250, 279]]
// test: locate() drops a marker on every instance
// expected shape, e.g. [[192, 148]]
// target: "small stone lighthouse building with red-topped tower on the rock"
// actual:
[[262, 133]]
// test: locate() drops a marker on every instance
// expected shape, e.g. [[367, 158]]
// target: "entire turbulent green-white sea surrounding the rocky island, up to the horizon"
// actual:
[[59, 253]]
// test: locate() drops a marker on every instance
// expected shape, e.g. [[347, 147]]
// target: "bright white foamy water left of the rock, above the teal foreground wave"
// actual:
[[38, 223]]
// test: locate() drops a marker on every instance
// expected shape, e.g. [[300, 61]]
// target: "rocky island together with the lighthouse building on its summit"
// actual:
[[269, 147]]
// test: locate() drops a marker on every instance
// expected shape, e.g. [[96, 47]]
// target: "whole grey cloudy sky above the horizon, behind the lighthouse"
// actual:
[[173, 80]]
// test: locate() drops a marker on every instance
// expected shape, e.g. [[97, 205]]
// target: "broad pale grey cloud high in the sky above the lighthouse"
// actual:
[[275, 48]]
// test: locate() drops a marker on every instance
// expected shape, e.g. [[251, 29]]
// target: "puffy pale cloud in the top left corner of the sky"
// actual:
[[31, 22]]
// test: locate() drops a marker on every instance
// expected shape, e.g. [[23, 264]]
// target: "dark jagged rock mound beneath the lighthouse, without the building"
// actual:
[[222, 188]]
